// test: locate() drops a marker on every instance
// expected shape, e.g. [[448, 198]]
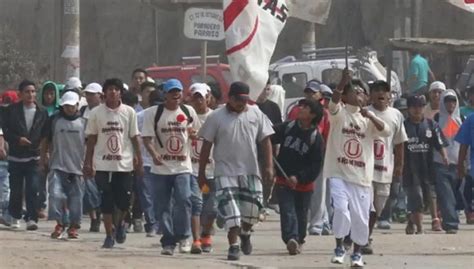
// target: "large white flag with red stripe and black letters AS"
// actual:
[[251, 32]]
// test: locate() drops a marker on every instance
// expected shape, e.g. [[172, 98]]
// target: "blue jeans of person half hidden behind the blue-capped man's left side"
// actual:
[[149, 199]]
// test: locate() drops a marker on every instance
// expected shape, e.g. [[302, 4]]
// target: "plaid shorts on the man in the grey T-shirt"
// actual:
[[239, 199]]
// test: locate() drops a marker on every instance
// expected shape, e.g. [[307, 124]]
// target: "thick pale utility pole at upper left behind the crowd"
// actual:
[[70, 39]]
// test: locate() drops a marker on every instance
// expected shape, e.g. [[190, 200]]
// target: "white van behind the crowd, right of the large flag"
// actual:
[[327, 68]]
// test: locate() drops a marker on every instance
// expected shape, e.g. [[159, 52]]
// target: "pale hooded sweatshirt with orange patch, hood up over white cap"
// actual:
[[449, 125]]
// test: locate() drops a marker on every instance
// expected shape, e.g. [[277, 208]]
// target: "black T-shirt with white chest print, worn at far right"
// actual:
[[423, 139]]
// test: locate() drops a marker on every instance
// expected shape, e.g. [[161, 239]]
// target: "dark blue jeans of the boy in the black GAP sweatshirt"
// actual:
[[294, 206]]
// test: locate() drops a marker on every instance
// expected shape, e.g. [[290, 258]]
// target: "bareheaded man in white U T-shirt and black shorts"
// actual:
[[112, 147]]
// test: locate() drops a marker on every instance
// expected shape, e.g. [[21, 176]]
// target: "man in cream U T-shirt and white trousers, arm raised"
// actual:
[[349, 164]]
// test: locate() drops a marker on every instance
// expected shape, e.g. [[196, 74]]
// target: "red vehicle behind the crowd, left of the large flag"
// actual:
[[218, 74]]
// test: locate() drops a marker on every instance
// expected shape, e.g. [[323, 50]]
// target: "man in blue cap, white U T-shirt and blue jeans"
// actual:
[[173, 125]]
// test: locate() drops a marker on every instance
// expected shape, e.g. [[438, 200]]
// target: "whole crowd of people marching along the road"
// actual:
[[343, 161]]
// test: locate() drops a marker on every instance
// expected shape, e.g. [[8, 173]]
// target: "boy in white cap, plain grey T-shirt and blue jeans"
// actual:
[[65, 145]]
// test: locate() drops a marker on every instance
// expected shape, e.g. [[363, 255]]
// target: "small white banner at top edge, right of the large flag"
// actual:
[[310, 10]]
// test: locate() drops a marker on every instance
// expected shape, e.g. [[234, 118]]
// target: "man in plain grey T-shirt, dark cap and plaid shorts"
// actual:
[[235, 130]]
